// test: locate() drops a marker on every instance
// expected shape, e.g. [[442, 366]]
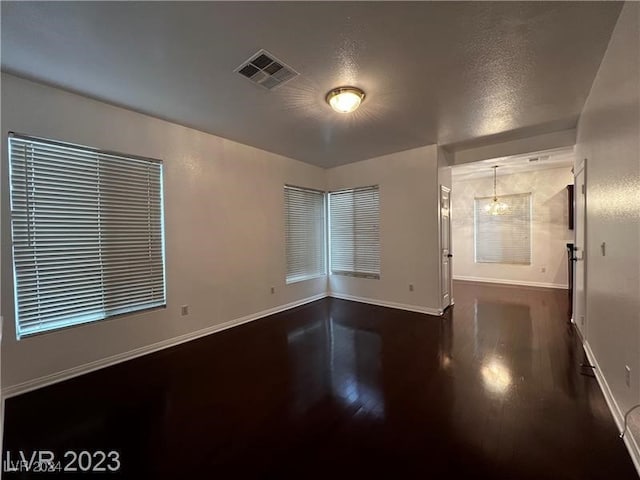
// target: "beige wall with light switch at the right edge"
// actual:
[[609, 138]]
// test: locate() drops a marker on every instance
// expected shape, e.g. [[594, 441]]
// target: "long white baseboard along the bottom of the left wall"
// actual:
[[56, 377]]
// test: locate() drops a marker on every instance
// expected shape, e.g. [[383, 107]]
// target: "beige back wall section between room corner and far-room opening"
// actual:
[[408, 228]]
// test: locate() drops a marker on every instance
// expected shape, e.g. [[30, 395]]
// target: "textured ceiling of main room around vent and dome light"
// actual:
[[434, 72]]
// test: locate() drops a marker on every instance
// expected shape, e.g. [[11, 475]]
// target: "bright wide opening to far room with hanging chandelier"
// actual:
[[524, 242]]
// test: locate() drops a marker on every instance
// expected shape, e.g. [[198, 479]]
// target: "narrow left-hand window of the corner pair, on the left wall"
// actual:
[[305, 233]]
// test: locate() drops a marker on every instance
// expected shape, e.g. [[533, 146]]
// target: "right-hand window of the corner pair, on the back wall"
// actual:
[[354, 217]]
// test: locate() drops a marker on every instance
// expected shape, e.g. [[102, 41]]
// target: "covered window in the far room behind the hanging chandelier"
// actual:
[[504, 238]]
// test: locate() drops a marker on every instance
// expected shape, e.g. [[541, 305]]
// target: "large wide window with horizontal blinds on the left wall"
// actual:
[[87, 234]]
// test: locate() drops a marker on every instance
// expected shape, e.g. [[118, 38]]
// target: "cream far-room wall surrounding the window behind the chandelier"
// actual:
[[549, 230]]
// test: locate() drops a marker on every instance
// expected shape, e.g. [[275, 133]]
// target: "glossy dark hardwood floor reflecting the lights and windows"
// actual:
[[338, 389]]
